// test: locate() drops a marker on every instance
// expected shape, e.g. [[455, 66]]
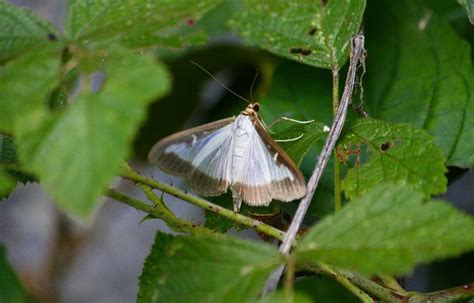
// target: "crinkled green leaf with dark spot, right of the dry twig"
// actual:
[[396, 152]]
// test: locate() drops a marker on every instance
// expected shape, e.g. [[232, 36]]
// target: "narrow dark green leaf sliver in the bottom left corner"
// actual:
[[11, 289]]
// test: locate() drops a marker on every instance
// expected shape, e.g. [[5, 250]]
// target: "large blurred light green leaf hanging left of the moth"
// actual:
[[85, 143]]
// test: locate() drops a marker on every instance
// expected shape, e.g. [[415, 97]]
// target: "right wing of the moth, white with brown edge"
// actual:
[[269, 173]]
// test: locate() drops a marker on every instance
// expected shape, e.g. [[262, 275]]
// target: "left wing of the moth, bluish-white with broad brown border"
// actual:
[[201, 154]]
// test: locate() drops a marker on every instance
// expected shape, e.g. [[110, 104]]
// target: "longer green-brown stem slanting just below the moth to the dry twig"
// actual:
[[128, 173]]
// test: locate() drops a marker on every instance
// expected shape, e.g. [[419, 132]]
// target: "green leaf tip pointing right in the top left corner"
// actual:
[[21, 30]]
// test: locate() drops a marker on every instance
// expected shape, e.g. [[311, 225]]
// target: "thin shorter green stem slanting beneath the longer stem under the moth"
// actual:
[[174, 223]]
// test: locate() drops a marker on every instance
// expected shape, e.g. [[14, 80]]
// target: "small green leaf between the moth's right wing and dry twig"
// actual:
[[310, 132]]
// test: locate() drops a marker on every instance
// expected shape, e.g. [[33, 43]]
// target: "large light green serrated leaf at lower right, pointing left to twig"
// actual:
[[388, 231]]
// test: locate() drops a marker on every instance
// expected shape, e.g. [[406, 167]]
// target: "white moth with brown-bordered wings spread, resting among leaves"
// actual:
[[236, 152]]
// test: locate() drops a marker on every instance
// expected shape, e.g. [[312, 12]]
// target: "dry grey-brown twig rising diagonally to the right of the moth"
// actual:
[[357, 52]]
